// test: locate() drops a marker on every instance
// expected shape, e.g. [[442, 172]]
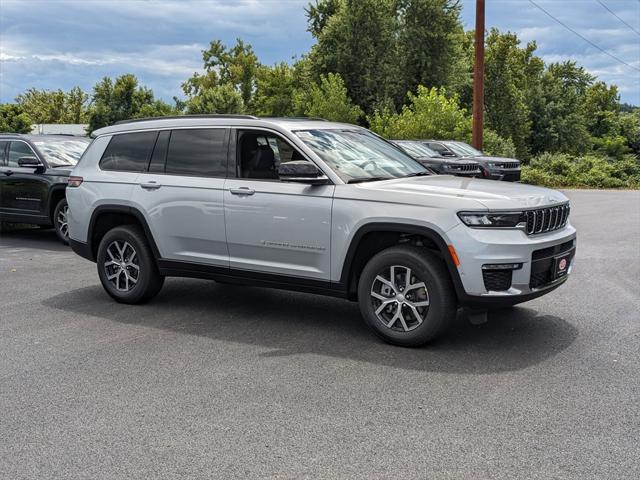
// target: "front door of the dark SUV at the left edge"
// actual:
[[24, 192]]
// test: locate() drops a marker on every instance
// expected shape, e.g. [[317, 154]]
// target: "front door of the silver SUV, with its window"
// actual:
[[273, 226]]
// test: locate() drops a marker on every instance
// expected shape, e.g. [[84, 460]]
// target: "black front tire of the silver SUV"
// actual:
[[426, 267]]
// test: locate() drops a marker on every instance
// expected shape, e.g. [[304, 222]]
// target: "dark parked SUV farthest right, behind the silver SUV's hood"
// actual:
[[495, 168]]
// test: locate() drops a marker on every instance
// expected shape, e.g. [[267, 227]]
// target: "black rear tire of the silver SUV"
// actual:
[[148, 281]]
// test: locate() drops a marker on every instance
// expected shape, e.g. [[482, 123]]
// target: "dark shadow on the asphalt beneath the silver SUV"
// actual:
[[290, 323]]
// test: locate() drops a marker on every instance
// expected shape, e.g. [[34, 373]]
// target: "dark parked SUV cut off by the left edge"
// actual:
[[33, 176]]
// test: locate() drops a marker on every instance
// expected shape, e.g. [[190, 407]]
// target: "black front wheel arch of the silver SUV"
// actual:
[[364, 245]]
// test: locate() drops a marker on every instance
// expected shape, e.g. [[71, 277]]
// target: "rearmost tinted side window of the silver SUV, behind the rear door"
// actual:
[[129, 152]]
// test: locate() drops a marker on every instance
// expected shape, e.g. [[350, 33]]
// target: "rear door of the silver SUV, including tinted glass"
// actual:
[[181, 195]]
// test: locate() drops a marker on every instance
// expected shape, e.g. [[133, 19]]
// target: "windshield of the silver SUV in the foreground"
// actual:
[[359, 155]]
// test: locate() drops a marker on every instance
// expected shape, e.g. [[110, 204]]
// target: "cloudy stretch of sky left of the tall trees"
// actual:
[[66, 43]]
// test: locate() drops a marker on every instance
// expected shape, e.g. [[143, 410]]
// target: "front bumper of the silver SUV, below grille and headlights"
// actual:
[[476, 248]]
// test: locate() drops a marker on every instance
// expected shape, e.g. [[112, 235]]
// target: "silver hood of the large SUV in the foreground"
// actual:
[[474, 193]]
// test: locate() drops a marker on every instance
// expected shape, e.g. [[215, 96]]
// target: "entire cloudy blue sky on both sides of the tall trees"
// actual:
[[62, 43]]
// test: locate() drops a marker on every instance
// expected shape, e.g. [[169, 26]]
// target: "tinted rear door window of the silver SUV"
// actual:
[[201, 152]]
